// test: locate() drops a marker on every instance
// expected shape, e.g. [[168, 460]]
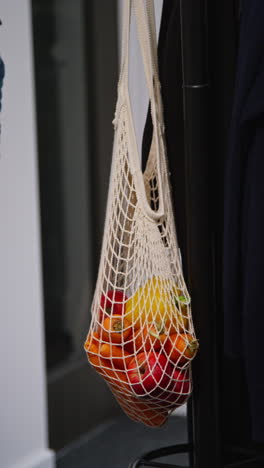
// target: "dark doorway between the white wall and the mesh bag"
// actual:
[[74, 42]]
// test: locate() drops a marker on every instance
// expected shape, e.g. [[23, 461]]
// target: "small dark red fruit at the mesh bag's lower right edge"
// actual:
[[179, 389]]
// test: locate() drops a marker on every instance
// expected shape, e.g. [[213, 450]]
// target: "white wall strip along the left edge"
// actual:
[[23, 422]]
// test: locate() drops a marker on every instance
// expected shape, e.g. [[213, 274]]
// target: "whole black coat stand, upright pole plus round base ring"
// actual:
[[205, 448]]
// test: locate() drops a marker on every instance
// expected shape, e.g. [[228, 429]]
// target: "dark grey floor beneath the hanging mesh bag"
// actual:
[[118, 442]]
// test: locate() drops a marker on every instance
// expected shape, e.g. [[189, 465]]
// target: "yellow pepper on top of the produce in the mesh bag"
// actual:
[[159, 301]]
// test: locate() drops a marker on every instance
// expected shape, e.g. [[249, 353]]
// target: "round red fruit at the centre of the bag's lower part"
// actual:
[[149, 372]]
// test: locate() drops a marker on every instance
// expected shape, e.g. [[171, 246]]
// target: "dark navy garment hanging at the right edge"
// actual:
[[243, 262]]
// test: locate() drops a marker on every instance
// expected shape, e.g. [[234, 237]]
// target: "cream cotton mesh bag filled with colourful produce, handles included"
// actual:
[[141, 338]]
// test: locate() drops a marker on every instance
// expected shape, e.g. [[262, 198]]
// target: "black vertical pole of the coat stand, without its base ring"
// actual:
[[200, 229]]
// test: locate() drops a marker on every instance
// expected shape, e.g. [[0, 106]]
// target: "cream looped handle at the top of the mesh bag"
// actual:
[[145, 21]]
